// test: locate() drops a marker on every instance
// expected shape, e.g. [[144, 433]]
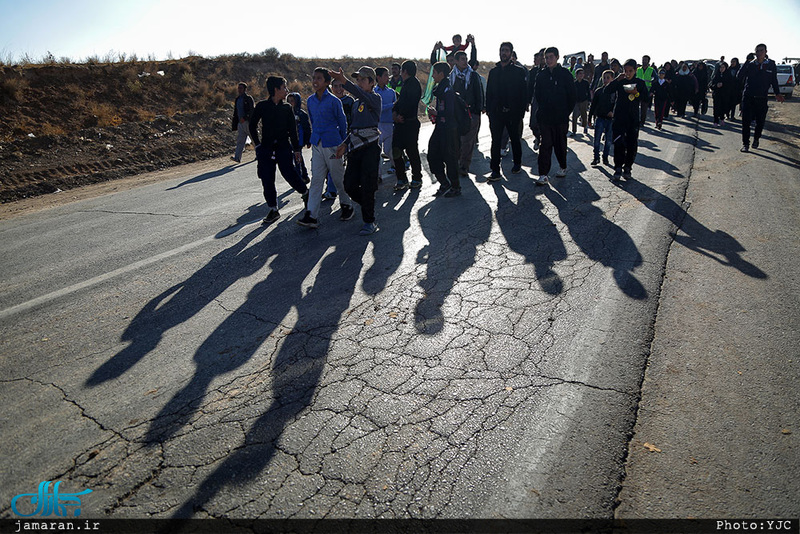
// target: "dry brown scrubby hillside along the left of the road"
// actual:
[[62, 126]]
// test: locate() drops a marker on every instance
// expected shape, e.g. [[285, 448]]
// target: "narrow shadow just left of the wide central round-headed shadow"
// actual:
[[387, 244]]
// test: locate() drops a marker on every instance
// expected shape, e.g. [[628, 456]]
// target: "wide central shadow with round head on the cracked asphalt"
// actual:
[[454, 228]]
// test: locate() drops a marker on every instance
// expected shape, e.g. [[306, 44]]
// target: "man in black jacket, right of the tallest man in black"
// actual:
[[555, 93]]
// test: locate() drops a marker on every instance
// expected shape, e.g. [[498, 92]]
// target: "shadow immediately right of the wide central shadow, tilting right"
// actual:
[[529, 232]]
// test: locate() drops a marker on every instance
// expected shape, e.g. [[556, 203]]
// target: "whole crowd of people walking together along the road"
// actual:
[[379, 116]]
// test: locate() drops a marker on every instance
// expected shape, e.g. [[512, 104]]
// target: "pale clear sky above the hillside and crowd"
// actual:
[[665, 29]]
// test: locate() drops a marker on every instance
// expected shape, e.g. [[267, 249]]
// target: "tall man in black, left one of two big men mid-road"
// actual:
[[506, 103]]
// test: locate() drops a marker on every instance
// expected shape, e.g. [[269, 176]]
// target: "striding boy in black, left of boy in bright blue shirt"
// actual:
[[277, 143]]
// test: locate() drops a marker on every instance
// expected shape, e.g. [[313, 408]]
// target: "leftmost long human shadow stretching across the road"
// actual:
[[180, 303]]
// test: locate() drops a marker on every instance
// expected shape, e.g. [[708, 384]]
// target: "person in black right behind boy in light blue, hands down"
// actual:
[[406, 128]]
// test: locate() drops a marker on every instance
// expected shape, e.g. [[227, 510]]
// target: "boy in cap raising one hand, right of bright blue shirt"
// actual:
[[362, 148]]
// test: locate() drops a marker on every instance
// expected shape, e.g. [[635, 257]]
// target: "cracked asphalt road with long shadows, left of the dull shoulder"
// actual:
[[481, 356]]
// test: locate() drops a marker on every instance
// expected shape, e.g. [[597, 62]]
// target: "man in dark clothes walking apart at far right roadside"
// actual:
[[757, 76]]
